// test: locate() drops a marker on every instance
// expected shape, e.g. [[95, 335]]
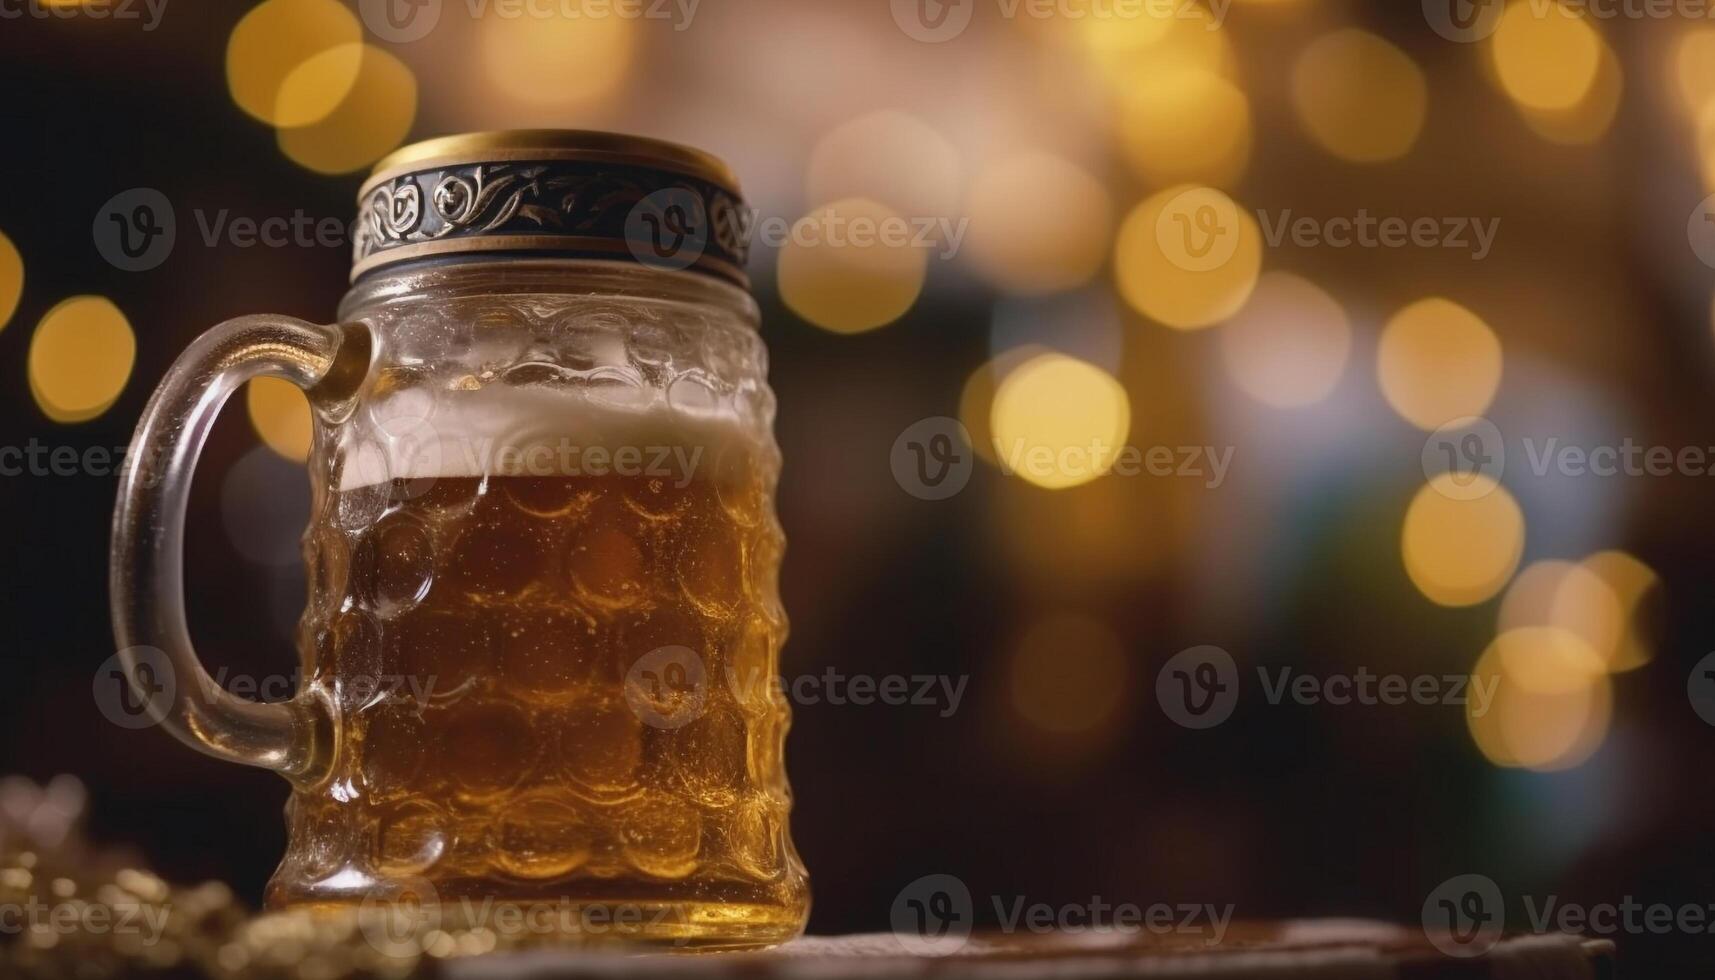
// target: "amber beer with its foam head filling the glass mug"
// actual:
[[496, 619]]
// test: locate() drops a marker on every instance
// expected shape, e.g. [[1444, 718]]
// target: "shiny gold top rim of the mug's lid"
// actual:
[[512, 145]]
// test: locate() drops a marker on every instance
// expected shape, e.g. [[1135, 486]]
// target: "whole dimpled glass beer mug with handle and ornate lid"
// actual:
[[543, 555]]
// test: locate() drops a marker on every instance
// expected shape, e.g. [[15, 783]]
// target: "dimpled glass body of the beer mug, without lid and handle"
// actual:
[[543, 677]]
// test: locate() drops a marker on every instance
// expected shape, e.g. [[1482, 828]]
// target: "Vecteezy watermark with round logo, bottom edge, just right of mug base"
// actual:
[[936, 914]]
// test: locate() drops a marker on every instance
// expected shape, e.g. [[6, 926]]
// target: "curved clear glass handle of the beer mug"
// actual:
[[147, 571]]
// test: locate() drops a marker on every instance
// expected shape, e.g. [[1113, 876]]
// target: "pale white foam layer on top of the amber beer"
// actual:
[[508, 430]]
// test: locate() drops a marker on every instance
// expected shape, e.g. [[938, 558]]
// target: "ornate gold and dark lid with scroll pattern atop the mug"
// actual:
[[555, 193]]
